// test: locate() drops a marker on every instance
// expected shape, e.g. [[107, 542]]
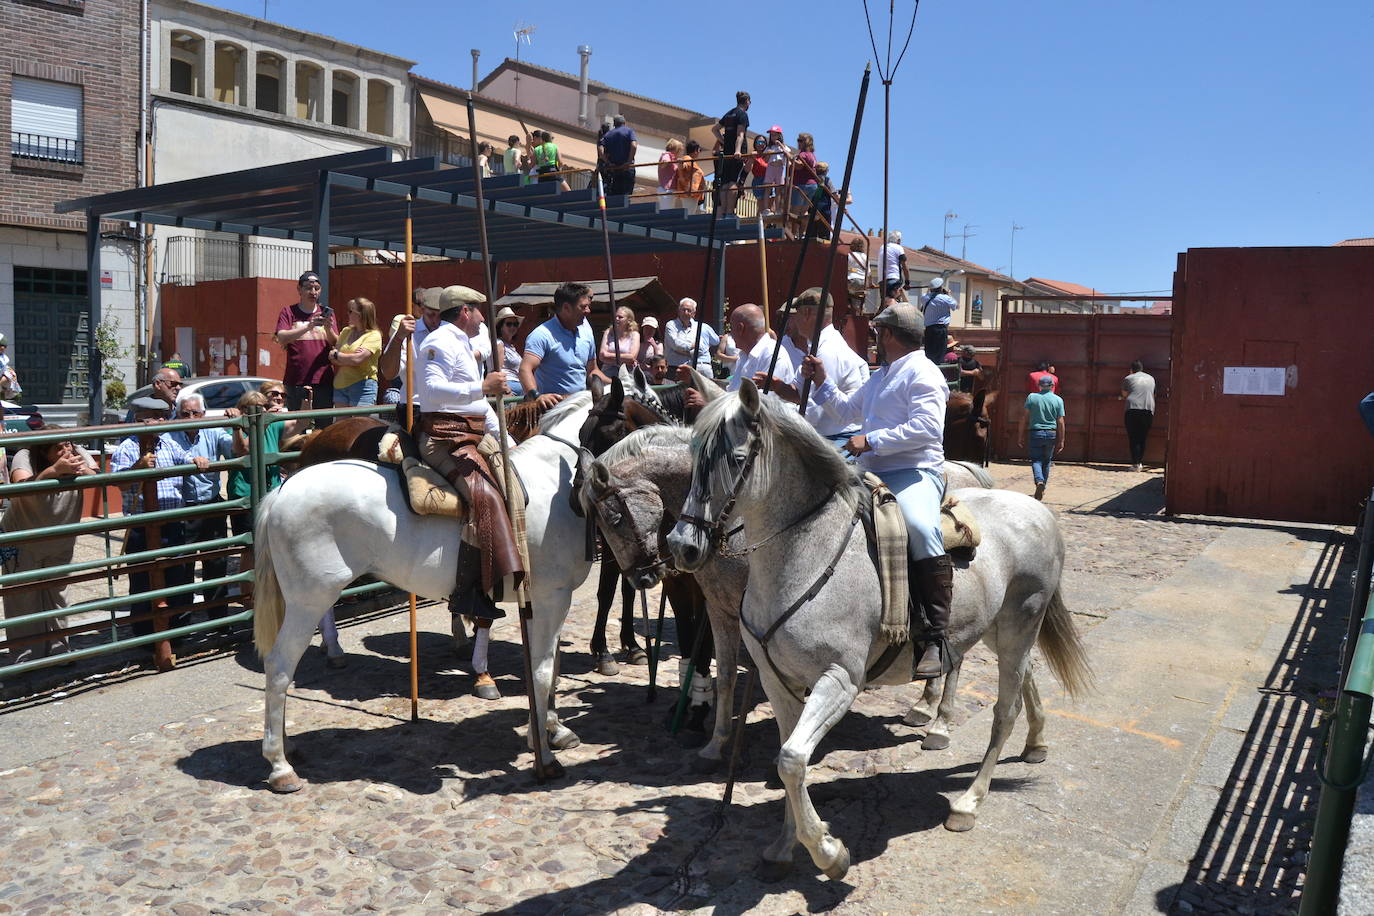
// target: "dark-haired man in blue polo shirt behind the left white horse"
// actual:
[[561, 352]]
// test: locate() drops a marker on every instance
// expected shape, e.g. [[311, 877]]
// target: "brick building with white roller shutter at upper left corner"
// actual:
[[69, 97]]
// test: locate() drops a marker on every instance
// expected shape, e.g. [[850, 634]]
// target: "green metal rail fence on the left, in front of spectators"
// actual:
[[115, 628]]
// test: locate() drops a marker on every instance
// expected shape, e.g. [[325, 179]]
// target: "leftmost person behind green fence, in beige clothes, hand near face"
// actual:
[[60, 461]]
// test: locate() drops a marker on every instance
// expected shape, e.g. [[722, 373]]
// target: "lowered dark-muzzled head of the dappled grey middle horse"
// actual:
[[631, 516]]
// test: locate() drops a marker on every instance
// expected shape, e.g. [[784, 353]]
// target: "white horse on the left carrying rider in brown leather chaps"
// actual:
[[332, 524]]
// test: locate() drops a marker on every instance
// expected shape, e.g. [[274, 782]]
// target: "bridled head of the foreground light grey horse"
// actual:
[[725, 446]]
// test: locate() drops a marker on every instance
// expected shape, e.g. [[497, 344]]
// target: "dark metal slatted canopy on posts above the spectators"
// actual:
[[359, 200]]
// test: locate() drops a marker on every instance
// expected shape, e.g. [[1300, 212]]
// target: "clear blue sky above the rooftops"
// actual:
[[1118, 133]]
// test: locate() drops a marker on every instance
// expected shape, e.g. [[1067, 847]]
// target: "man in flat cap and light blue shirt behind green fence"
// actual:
[[146, 448]]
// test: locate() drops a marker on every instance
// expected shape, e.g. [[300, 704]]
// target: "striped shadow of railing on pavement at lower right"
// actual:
[[1254, 854]]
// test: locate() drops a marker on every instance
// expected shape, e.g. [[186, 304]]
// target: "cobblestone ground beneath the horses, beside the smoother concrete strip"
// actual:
[[443, 814]]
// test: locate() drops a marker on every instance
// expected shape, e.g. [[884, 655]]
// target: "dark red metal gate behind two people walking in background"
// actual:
[[1092, 354]]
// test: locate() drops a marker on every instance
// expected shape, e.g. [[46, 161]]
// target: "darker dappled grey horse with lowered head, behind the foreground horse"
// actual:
[[641, 483]]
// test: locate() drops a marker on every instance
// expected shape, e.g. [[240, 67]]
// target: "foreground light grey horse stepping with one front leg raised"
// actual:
[[813, 619]]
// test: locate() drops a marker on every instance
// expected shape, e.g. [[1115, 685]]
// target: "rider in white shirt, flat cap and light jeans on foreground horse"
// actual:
[[902, 411]]
